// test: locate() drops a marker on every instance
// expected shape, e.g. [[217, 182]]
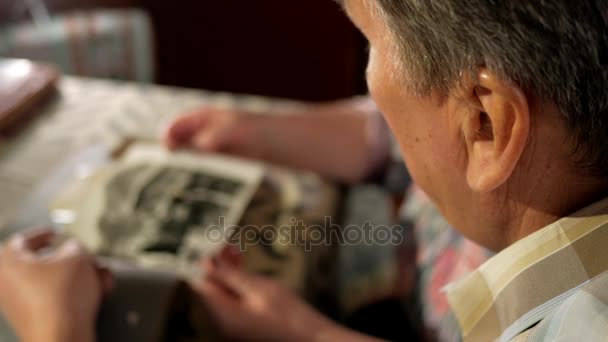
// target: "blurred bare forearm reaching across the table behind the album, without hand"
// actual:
[[345, 141]]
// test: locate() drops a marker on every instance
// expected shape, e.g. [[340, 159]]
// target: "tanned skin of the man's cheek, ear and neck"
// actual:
[[540, 185]]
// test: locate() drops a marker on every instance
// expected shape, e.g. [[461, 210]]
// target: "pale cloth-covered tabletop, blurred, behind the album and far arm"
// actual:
[[99, 112]]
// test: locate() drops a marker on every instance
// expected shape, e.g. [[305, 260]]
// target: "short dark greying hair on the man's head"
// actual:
[[557, 50]]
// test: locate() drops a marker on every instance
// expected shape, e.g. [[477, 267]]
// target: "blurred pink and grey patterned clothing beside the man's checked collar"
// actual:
[[443, 256]]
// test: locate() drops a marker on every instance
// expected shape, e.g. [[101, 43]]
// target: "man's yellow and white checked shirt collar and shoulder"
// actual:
[[549, 286]]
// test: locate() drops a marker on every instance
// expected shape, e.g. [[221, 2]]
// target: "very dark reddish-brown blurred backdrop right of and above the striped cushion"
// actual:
[[304, 49]]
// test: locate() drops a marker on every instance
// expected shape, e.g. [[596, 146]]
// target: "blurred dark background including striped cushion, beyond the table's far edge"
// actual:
[[300, 49]]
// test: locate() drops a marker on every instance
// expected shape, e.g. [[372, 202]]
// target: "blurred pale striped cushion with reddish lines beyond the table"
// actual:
[[102, 43]]
